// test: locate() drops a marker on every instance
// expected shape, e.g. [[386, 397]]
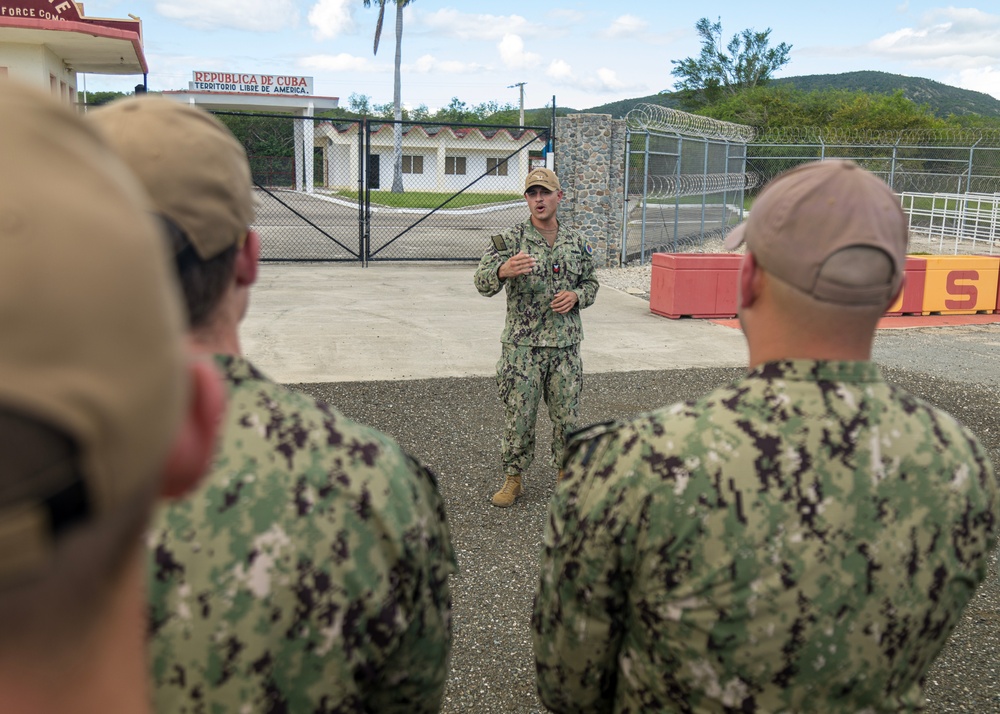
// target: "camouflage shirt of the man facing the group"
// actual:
[[530, 320]]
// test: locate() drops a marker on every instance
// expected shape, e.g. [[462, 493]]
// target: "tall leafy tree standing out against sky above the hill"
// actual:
[[747, 61]]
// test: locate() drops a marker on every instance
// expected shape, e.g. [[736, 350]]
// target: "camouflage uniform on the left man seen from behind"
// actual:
[[309, 573]]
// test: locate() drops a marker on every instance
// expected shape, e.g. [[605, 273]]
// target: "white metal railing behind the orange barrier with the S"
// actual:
[[955, 218]]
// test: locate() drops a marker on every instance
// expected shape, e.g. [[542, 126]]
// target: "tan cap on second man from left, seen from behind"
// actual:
[[194, 169]]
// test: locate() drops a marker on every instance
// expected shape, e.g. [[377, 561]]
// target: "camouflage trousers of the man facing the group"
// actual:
[[526, 374]]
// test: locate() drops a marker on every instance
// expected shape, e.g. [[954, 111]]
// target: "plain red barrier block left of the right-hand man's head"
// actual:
[[694, 285]]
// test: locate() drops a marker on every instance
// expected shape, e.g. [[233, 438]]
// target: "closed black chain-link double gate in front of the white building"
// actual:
[[361, 190]]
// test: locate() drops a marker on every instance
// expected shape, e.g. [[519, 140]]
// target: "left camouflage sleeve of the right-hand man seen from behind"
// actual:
[[580, 608]]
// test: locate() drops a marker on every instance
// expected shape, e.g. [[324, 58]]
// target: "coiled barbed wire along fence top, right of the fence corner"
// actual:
[[956, 136]]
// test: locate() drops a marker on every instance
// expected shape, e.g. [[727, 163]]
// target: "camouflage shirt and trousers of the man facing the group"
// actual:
[[541, 348]]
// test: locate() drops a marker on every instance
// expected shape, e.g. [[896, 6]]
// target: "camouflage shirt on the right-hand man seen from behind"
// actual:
[[803, 540]]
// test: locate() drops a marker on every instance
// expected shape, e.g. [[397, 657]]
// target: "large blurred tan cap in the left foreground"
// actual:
[[92, 329]]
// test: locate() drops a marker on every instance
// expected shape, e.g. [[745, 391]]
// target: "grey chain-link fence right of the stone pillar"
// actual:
[[690, 178]]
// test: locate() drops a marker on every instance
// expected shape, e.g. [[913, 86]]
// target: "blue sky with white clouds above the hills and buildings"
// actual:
[[584, 53]]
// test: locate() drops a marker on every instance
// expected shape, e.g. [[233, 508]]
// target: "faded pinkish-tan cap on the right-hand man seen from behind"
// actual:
[[801, 226]]
